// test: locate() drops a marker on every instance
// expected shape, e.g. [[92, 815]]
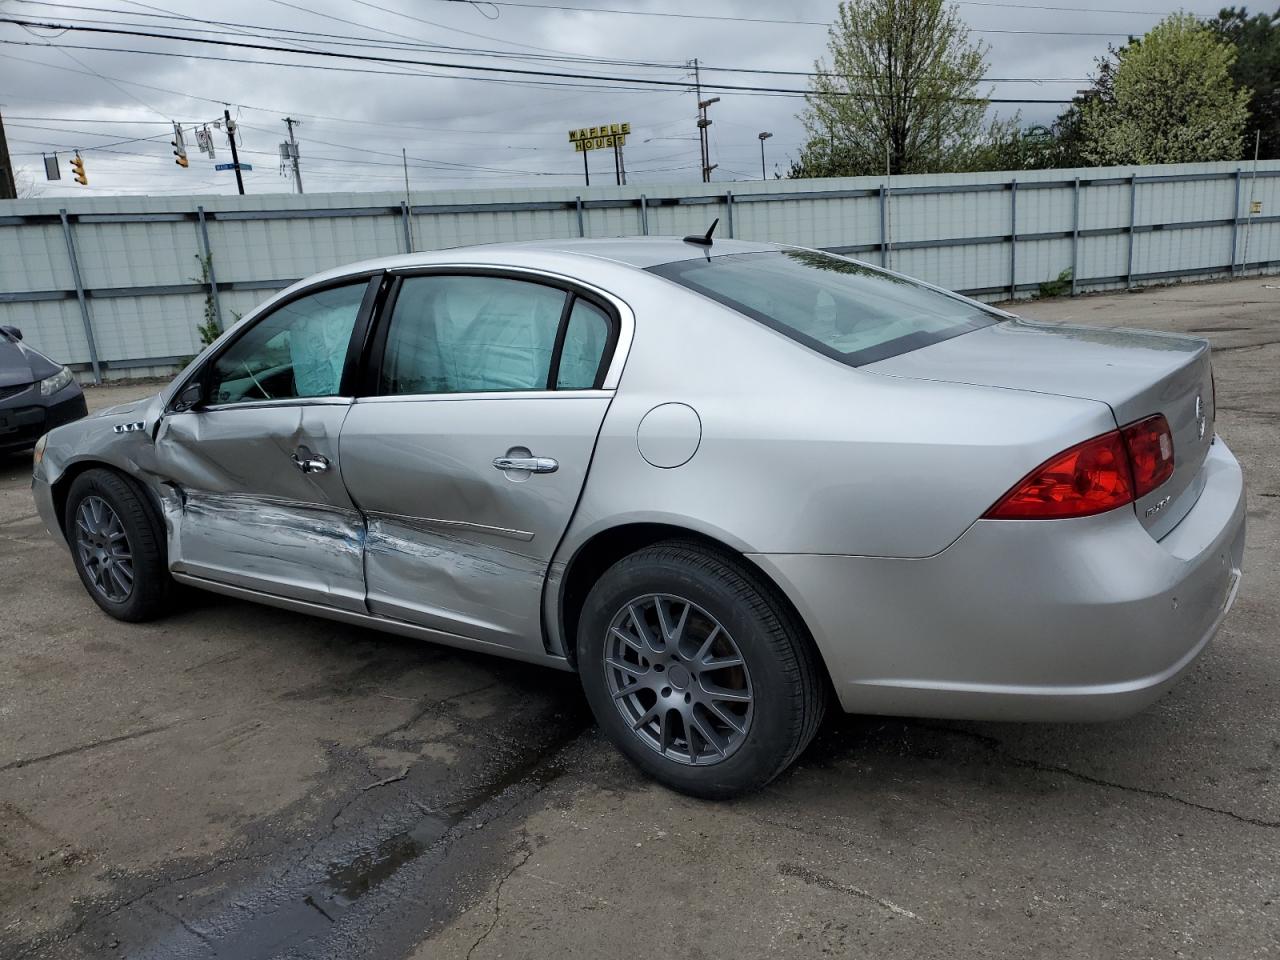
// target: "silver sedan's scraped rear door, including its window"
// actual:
[[470, 458]]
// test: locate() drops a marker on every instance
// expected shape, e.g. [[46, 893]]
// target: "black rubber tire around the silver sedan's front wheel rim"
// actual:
[[152, 589]]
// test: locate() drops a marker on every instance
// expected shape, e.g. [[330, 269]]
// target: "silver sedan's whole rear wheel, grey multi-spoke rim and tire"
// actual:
[[697, 671]]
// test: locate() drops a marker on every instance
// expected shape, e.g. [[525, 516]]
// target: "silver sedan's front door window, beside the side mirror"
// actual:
[[296, 351]]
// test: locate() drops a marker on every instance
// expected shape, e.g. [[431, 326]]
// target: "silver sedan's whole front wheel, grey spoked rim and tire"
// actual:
[[118, 546]]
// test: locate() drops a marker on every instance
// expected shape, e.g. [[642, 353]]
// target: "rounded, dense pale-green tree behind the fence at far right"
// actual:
[[1167, 99]]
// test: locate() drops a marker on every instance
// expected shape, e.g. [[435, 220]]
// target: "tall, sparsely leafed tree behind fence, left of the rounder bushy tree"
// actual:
[[902, 90]]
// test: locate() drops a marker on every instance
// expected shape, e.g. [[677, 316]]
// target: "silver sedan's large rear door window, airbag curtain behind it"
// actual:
[[469, 335]]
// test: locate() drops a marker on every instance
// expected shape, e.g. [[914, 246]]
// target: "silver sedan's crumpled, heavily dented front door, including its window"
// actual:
[[253, 474]]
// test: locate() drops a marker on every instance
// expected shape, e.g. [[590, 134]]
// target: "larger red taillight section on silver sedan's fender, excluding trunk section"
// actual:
[[1090, 478]]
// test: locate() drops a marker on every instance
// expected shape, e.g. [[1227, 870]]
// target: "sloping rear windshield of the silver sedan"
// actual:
[[849, 312]]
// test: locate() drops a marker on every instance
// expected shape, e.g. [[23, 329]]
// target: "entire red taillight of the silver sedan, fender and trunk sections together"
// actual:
[[1094, 477]]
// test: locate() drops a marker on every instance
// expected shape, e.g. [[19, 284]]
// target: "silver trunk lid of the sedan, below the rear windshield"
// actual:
[[1136, 373]]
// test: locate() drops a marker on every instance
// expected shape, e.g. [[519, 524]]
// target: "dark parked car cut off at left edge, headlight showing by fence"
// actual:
[[36, 395]]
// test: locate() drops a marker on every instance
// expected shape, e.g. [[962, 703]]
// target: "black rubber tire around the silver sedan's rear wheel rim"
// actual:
[[787, 679]]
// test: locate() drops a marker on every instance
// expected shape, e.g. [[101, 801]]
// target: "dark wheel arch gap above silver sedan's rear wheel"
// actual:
[[607, 547]]
